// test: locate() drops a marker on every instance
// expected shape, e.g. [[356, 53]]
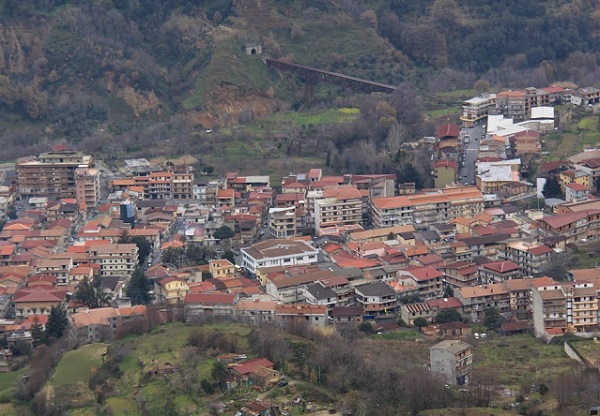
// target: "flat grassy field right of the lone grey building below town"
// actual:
[[521, 360]]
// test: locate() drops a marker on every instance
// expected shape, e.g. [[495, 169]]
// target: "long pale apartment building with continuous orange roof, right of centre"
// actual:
[[424, 210]]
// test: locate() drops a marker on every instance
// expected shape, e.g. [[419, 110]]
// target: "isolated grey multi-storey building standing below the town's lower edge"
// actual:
[[453, 359]]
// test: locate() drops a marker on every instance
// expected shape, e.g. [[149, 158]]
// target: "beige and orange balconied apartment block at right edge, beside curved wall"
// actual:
[[560, 307]]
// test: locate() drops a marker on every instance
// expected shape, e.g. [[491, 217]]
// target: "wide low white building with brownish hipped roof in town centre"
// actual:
[[278, 252]]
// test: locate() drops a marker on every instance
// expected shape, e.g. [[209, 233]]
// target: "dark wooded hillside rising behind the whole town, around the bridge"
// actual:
[[141, 78]]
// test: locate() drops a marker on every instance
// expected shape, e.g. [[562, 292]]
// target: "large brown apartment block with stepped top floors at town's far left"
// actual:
[[51, 174]]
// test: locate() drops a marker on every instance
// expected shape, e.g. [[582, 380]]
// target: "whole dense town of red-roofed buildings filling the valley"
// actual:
[[313, 249]]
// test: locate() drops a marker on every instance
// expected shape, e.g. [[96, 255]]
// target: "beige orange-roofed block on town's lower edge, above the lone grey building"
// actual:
[[477, 299]]
